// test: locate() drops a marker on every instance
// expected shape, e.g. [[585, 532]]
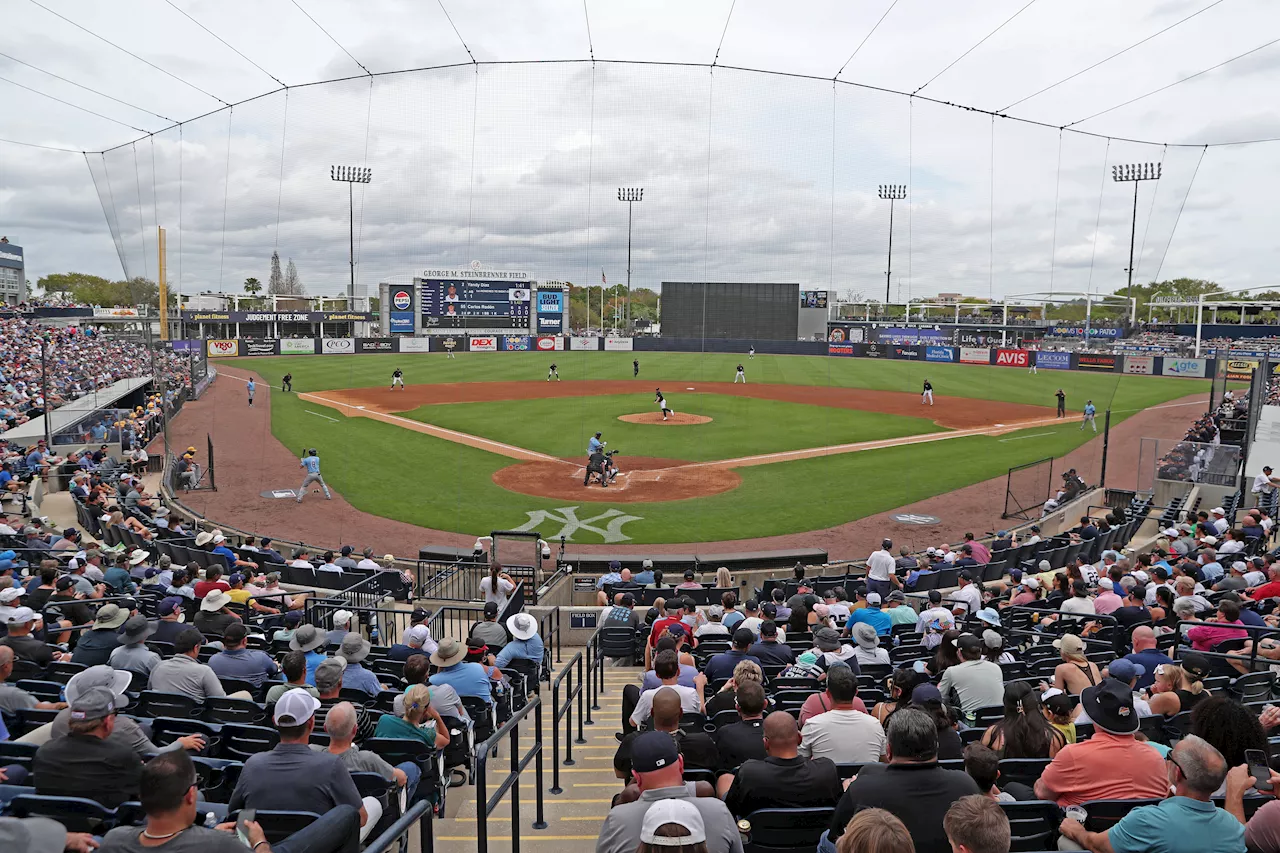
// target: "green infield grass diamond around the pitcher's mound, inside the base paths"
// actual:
[[740, 426]]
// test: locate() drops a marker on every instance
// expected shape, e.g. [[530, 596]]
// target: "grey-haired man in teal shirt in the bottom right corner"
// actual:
[[1183, 823]]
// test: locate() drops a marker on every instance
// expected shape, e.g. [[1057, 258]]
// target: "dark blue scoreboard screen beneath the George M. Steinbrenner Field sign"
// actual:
[[482, 299]]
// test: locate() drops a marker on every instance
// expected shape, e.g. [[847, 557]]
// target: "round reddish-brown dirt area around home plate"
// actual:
[[642, 480]]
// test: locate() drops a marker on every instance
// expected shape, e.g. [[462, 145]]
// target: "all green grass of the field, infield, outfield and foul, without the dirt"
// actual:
[[412, 477]]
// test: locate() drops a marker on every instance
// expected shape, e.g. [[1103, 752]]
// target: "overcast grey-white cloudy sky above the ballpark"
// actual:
[[748, 176]]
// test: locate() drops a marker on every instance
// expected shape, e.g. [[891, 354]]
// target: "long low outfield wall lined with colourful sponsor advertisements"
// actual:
[[995, 357]]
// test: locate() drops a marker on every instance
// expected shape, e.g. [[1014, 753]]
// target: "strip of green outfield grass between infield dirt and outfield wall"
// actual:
[[1011, 385]]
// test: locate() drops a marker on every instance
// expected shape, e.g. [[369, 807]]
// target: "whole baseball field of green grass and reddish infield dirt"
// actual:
[[486, 443]]
